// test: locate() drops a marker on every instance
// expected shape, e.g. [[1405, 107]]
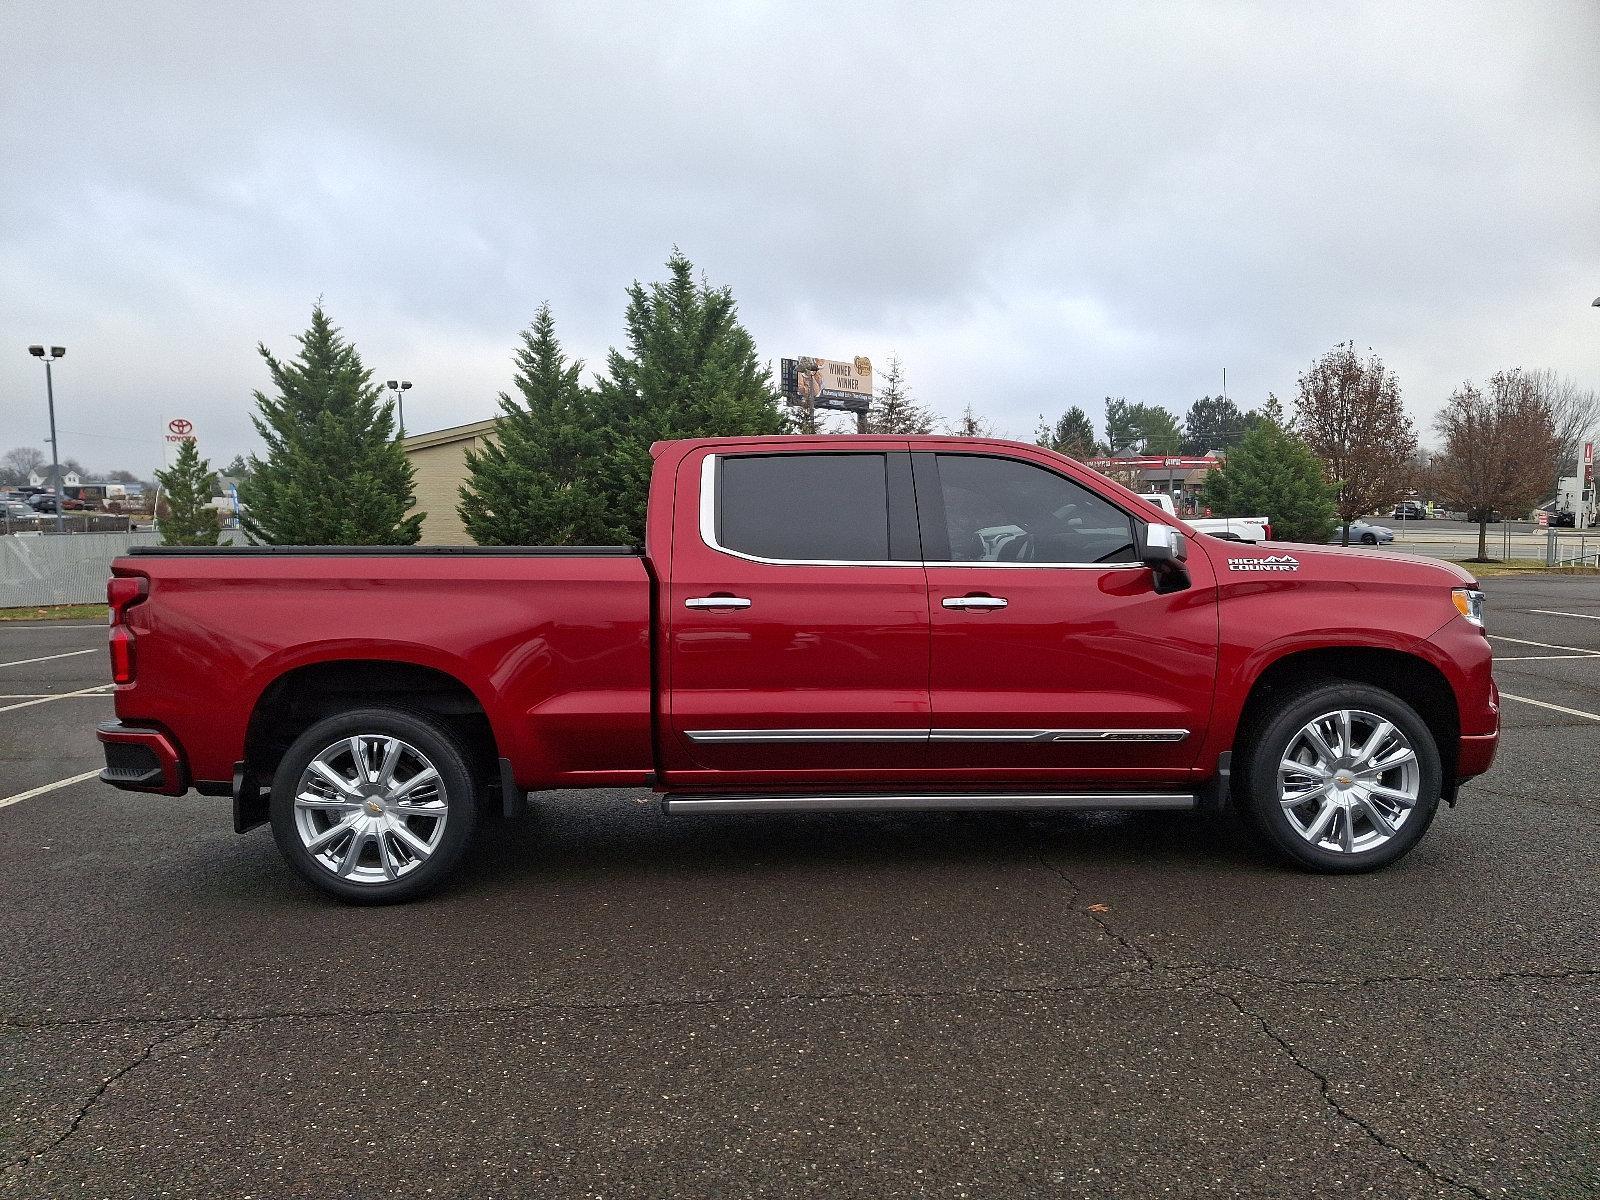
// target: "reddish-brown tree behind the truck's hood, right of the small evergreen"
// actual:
[[1350, 414]]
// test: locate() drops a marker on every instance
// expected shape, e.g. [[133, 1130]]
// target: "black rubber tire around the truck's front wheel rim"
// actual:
[[1270, 738]]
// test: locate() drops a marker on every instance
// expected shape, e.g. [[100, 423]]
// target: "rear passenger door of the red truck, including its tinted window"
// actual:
[[798, 626]]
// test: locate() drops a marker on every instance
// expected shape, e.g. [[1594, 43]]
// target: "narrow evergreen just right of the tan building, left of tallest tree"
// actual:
[[535, 482]]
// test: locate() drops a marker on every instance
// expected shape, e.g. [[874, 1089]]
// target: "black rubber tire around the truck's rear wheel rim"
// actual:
[[433, 742]]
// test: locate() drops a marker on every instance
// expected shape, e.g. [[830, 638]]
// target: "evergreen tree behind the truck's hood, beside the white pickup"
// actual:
[[1273, 474]]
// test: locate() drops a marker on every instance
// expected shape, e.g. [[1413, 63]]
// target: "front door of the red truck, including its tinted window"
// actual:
[[1054, 655]]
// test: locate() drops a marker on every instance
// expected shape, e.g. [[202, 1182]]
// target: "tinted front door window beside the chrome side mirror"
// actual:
[[1007, 511]]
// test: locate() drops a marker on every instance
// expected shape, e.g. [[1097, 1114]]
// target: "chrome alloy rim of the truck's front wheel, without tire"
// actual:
[[1350, 782]]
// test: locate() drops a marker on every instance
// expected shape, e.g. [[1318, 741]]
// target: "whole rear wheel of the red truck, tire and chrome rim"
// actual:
[[374, 806]]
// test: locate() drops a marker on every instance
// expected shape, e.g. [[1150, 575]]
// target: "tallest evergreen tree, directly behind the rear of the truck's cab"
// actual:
[[690, 370]]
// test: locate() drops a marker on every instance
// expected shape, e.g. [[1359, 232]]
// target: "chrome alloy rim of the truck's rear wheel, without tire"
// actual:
[[370, 809]]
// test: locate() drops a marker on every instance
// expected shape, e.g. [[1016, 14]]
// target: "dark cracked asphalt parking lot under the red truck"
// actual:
[[614, 1004]]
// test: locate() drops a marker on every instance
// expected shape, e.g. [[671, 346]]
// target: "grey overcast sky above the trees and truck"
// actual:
[[1036, 206]]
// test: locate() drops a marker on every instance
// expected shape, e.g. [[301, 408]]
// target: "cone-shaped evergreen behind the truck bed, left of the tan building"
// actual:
[[334, 473]]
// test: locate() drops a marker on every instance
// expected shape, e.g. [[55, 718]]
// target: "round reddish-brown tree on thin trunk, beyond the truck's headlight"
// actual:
[[1500, 449]]
